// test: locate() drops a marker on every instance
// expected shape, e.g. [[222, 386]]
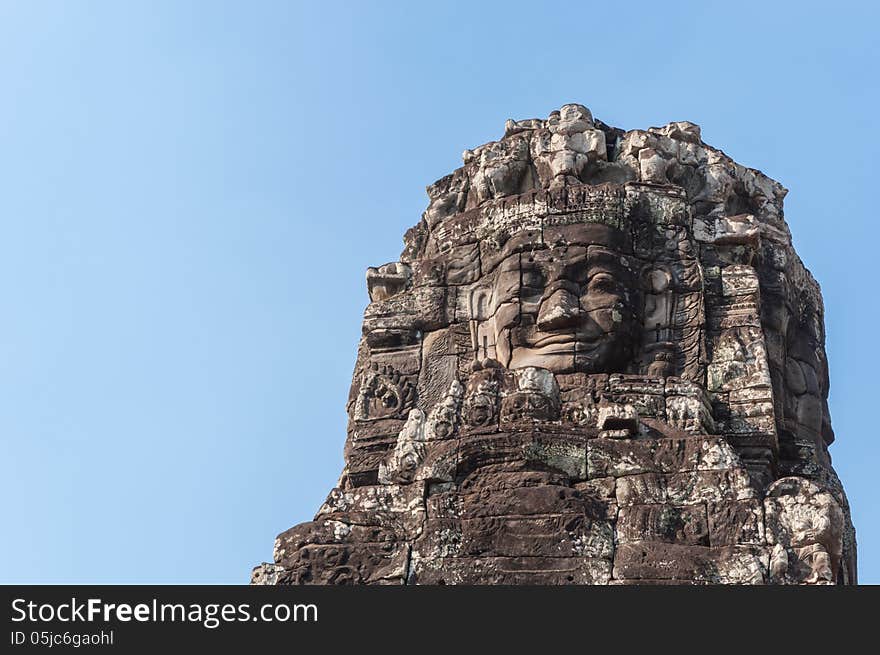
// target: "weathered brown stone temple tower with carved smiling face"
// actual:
[[599, 360]]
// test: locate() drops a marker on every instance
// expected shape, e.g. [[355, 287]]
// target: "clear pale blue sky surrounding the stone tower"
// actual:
[[190, 193]]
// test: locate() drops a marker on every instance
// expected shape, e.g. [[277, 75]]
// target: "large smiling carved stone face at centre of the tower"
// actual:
[[563, 308]]
